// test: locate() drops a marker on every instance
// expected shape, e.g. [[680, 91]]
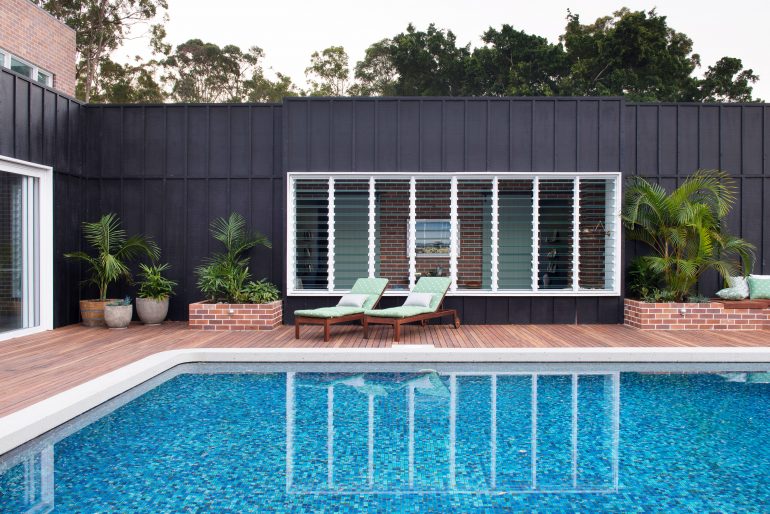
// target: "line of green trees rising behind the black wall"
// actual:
[[634, 54]]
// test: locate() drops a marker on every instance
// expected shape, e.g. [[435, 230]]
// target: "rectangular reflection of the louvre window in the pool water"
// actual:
[[466, 432]]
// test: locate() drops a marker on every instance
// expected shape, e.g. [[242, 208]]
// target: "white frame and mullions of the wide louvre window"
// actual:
[[494, 177]]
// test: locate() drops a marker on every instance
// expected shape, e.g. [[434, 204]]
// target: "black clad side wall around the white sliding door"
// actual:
[[42, 126]]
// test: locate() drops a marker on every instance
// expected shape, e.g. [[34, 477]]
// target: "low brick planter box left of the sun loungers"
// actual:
[[235, 316]]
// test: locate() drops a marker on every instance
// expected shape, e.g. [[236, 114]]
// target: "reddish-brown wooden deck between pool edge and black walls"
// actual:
[[35, 367]]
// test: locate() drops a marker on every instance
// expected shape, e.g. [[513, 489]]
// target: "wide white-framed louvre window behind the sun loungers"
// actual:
[[493, 234]]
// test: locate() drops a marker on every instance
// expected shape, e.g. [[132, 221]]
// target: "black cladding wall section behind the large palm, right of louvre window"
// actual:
[[667, 142]]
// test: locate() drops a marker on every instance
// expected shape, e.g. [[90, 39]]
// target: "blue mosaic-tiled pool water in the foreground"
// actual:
[[462, 439]]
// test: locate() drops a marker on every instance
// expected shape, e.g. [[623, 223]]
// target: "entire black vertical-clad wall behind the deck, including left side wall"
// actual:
[[167, 170]]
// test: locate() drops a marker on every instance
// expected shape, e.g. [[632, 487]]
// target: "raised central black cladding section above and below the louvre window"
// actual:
[[464, 134]]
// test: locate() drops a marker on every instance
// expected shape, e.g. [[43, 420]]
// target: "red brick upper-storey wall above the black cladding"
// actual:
[[34, 35]]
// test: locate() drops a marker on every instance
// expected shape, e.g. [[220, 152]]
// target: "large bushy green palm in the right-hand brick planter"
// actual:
[[686, 228]]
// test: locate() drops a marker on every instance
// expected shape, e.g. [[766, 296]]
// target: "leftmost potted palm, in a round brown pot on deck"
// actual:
[[111, 252]]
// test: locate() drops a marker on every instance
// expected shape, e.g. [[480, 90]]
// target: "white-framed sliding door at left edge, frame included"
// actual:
[[25, 248]]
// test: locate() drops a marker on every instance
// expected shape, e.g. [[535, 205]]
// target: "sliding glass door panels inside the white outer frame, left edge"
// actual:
[[18, 253]]
